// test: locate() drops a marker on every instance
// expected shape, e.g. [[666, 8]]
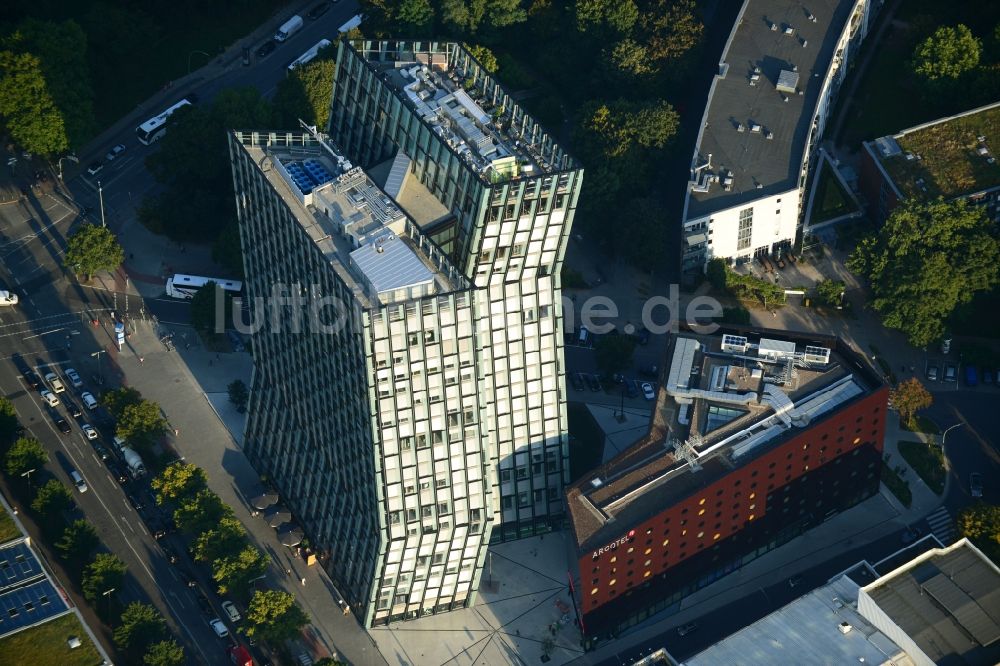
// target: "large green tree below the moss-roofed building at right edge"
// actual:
[[928, 258]]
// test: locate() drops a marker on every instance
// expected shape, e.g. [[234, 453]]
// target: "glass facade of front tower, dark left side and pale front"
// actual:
[[373, 432]]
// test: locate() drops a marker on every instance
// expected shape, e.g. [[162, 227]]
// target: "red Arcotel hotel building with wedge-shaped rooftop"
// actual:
[[752, 442]]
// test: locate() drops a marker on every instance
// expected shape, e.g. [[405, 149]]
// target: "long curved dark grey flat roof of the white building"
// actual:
[[760, 108]]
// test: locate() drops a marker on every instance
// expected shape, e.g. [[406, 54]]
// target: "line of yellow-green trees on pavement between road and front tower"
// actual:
[[220, 540]]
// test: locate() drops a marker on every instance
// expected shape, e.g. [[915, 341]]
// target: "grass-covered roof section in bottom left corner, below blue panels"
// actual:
[[46, 644]]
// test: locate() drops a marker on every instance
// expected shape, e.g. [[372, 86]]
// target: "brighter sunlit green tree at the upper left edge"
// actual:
[[26, 105]]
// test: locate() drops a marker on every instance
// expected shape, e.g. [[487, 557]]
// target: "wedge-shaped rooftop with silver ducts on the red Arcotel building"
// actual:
[[726, 400]]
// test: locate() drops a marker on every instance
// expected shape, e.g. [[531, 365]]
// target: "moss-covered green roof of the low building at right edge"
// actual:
[[950, 157]]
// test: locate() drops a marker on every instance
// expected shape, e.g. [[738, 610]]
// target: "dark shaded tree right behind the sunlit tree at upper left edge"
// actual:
[[61, 48]]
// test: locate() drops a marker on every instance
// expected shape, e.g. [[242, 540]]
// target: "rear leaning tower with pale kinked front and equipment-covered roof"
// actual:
[[506, 231]]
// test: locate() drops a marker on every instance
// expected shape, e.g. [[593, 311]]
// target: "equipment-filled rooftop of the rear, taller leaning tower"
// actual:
[[466, 108]]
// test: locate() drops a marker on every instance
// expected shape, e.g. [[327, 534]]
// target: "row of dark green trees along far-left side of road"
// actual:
[[141, 632]]
